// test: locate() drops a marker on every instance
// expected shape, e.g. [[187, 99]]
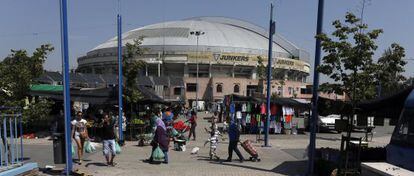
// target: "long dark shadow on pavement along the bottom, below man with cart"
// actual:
[[296, 168]]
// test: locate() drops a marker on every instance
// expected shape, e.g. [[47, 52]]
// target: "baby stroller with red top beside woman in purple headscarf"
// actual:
[[178, 134]]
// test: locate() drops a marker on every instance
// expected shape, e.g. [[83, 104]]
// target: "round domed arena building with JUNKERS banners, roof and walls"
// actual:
[[226, 51]]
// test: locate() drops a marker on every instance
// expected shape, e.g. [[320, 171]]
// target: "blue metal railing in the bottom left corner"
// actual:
[[11, 132]]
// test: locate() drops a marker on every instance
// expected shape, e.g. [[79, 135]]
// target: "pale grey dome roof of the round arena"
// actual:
[[218, 32]]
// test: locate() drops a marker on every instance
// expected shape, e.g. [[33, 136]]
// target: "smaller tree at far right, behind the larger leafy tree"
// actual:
[[389, 68]]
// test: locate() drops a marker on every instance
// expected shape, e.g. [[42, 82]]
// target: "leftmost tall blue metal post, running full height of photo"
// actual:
[[66, 80]]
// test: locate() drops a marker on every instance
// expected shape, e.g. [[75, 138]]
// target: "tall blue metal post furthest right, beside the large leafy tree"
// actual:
[[315, 96]]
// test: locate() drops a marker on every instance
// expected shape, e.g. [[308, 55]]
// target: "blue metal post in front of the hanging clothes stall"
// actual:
[[269, 75]]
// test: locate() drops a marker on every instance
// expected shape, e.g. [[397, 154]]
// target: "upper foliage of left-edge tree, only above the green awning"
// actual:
[[17, 73]]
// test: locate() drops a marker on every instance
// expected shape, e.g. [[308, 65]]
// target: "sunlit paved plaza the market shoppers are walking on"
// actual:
[[286, 156]]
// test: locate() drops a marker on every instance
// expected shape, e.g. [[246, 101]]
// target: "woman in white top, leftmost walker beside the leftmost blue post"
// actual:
[[79, 133]]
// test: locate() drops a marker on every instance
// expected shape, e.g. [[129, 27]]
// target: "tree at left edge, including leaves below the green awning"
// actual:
[[18, 71]]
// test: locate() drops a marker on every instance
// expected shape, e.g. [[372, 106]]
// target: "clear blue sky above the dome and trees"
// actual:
[[26, 24]]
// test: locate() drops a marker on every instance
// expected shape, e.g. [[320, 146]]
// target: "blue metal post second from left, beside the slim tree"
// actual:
[[120, 119]]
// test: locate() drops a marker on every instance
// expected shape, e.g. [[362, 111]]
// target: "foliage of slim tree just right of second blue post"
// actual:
[[131, 69]]
